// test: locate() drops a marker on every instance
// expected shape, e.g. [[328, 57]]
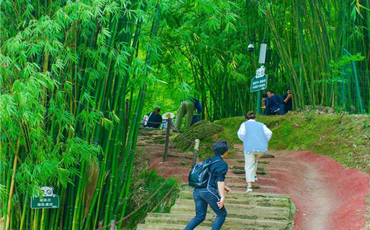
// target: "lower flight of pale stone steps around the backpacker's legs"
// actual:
[[245, 211]]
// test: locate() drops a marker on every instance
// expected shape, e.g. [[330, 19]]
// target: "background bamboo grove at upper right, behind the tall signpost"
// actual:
[[305, 40]]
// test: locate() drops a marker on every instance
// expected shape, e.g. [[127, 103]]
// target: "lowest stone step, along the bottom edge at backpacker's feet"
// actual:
[[230, 223]]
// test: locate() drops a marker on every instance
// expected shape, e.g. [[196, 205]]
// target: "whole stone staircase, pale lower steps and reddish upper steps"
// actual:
[[254, 210]]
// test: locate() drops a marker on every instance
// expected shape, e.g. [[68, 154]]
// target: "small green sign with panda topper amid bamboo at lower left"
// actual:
[[49, 199]]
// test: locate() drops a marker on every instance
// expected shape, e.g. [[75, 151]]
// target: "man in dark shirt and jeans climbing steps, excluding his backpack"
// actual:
[[214, 194]]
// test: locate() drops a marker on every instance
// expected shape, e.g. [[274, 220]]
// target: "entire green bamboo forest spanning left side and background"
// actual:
[[77, 77]]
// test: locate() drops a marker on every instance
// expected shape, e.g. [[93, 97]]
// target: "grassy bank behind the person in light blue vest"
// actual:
[[344, 138]]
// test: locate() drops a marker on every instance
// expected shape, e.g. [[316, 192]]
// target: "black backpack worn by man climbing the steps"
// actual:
[[199, 174]]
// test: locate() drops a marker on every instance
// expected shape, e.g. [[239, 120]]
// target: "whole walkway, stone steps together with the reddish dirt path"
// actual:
[[325, 194]]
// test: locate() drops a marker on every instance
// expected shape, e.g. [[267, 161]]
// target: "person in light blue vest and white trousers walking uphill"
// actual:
[[255, 136]]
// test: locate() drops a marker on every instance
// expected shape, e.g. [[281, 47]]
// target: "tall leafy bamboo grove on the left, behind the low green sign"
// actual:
[[73, 82]]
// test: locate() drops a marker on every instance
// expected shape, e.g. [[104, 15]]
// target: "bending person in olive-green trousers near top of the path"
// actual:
[[187, 108]]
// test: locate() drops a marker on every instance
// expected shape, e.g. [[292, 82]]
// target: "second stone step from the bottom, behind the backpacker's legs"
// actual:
[[243, 211]]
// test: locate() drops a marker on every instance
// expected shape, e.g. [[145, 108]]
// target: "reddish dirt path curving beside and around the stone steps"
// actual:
[[326, 195]]
